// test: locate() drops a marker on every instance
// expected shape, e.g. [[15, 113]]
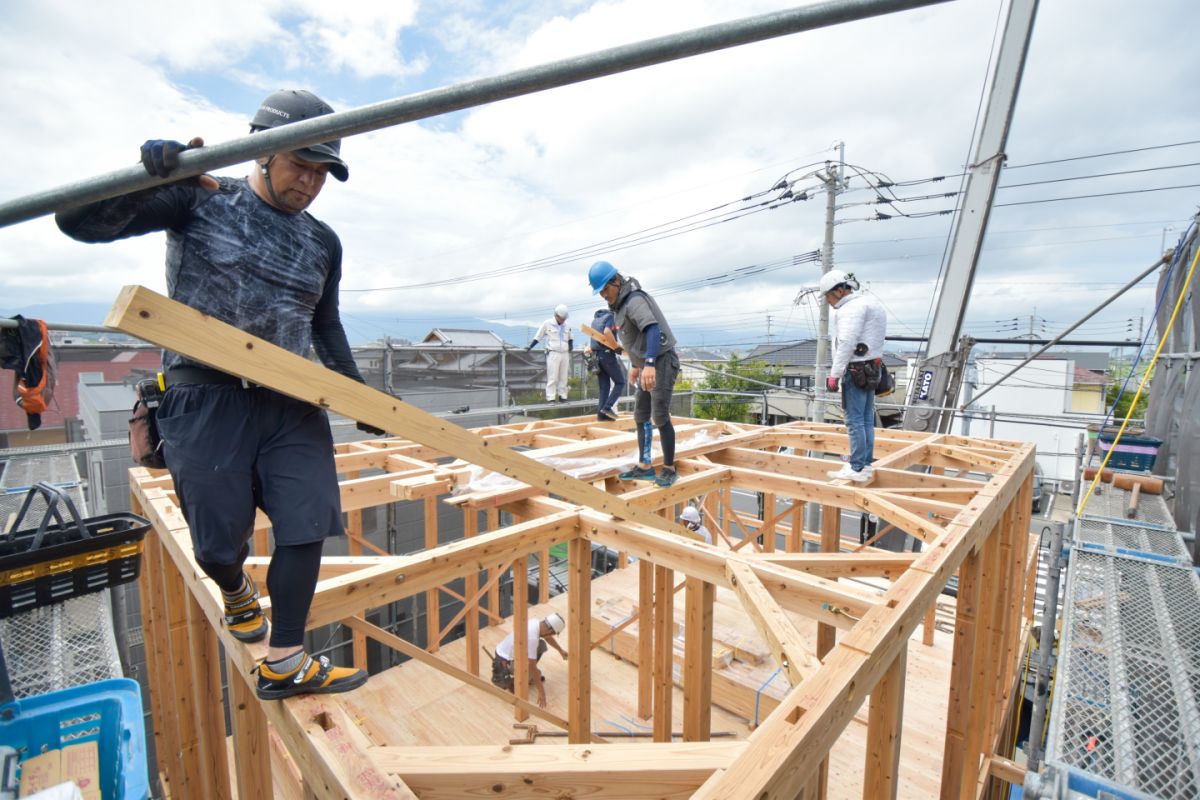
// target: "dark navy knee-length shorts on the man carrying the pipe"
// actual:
[[231, 450]]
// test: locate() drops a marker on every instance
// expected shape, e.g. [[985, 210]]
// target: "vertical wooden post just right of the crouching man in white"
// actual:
[[579, 665]]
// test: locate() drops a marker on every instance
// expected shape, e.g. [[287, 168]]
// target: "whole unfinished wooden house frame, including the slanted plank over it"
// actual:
[[969, 501]]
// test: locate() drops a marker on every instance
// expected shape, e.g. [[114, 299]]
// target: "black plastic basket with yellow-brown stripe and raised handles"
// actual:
[[65, 558]]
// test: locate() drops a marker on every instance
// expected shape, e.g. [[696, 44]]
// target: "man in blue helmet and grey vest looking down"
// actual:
[[651, 347]]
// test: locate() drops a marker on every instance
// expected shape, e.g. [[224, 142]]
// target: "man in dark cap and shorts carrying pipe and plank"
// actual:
[[249, 254]]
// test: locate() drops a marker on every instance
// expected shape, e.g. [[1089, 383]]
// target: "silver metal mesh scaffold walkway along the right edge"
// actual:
[[1125, 719]]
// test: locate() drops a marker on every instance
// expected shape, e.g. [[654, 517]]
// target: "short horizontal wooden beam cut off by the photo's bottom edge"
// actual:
[[616, 772]]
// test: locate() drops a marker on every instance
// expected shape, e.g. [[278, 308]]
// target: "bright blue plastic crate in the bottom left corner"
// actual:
[[109, 713]]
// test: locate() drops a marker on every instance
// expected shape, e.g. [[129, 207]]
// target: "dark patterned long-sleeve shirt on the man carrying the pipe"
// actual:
[[238, 260]]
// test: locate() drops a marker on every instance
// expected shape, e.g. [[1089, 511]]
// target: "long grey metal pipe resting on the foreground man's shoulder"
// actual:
[[458, 98]]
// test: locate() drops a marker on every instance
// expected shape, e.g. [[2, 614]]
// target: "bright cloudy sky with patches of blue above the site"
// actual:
[[545, 182]]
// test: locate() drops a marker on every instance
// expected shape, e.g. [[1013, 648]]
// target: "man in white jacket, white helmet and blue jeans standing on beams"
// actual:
[[860, 328]]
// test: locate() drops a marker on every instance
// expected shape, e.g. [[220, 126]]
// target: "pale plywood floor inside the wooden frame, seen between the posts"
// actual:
[[416, 705]]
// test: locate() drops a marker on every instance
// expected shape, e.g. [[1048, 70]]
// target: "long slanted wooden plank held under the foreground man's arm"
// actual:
[[173, 326]]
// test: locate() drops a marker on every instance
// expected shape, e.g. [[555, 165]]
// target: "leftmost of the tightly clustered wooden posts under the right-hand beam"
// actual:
[[957, 712]]
